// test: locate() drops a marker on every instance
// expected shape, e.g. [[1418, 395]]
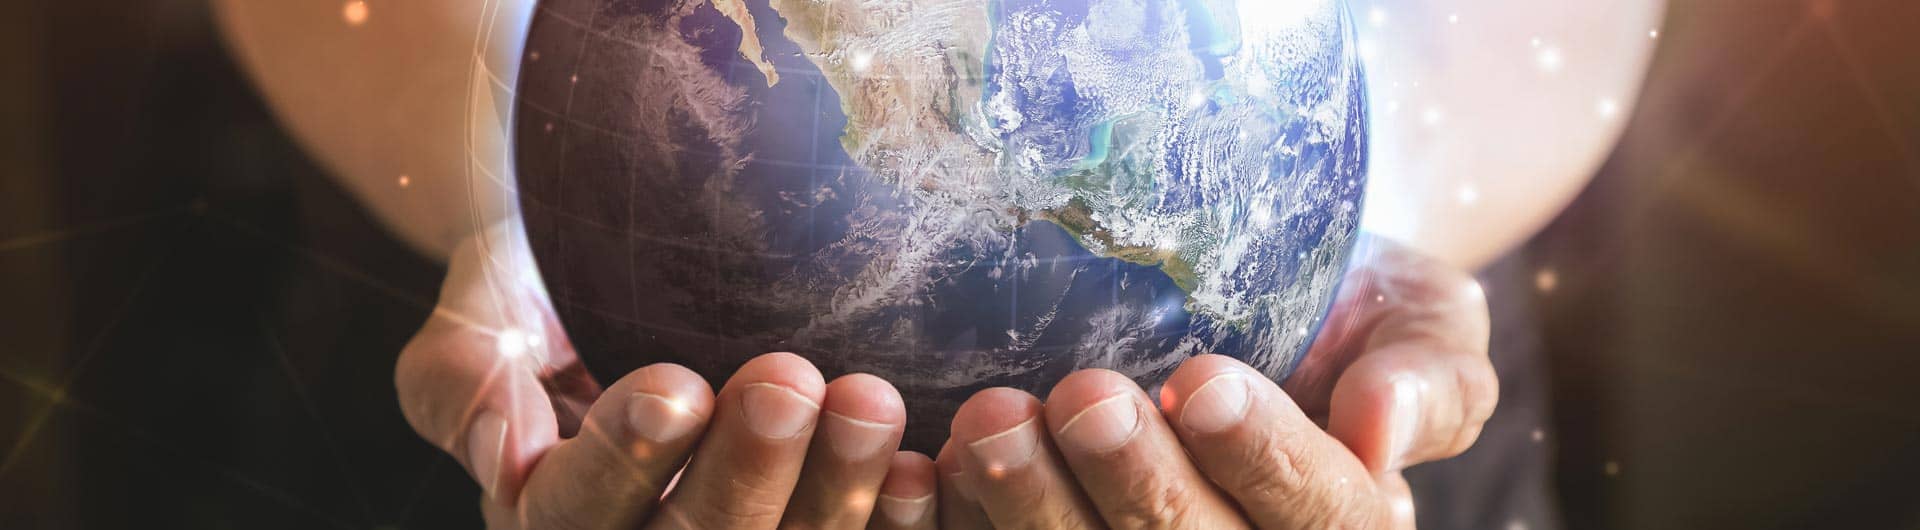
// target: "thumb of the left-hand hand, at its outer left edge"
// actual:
[[477, 402]]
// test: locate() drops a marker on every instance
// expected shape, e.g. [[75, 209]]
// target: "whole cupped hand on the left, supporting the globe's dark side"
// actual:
[[494, 383]]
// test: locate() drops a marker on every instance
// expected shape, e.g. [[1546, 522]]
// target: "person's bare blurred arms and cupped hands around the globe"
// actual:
[[412, 91]]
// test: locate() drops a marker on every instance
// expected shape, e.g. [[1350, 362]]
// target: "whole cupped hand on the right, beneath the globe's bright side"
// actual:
[[1399, 377]]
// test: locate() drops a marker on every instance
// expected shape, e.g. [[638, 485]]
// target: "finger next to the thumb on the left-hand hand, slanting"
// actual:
[[633, 443]]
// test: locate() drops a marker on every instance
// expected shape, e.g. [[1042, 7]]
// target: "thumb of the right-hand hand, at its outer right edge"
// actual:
[[1403, 373]]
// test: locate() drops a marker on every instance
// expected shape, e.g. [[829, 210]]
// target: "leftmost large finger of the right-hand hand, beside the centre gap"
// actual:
[[1013, 468]]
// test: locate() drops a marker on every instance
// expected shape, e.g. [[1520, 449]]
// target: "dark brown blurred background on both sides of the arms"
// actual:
[[199, 327]]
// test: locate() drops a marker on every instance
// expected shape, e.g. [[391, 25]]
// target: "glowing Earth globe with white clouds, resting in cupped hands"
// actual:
[[949, 195]]
